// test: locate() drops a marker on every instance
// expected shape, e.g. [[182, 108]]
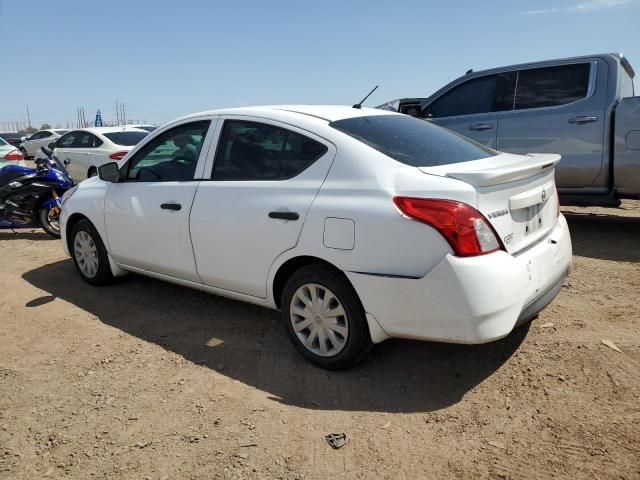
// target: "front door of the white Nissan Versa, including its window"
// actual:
[[147, 211]]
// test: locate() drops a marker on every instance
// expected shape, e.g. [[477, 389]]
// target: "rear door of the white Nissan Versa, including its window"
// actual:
[[264, 178]]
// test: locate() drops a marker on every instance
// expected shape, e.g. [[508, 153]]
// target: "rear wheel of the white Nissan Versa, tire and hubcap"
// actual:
[[345, 336]]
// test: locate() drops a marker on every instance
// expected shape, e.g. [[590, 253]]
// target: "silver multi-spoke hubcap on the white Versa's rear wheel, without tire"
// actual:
[[319, 320]]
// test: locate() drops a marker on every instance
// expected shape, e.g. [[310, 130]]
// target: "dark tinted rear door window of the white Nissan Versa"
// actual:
[[258, 151]]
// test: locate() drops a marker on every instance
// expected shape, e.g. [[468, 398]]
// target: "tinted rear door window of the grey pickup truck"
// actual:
[[552, 86]]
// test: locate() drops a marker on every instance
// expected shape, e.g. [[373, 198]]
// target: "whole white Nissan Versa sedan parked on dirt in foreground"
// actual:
[[357, 224]]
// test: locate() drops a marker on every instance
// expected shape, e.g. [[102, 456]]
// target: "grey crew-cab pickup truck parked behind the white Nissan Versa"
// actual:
[[583, 108]]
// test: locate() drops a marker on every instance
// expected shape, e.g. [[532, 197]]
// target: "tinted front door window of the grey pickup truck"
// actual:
[[492, 93]]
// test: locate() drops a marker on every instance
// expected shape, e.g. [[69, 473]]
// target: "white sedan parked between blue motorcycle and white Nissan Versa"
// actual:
[[85, 149]]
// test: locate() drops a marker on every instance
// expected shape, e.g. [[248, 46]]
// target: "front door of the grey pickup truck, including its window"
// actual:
[[470, 107]]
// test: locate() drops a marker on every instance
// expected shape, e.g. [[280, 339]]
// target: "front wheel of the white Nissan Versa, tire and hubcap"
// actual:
[[89, 254]]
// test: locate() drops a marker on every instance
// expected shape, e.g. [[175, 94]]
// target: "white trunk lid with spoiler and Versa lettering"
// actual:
[[516, 193]]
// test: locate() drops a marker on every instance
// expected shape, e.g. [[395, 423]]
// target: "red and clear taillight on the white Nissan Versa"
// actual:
[[466, 229]]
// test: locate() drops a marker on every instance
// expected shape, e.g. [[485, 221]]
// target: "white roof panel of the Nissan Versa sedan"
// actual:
[[325, 113]]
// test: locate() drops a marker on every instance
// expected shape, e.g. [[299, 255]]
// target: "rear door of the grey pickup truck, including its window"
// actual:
[[558, 109]]
